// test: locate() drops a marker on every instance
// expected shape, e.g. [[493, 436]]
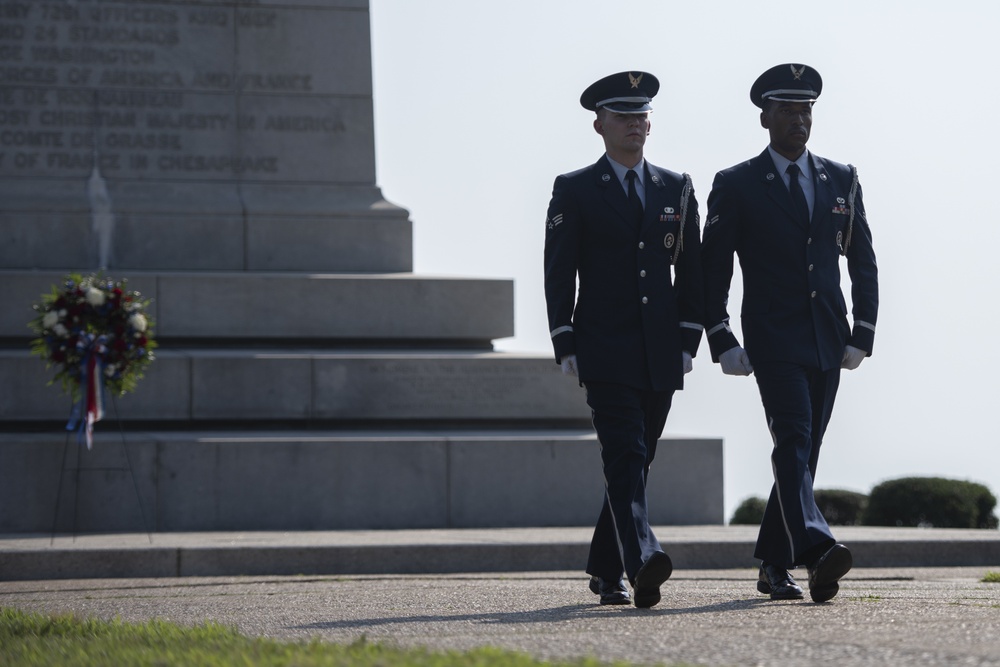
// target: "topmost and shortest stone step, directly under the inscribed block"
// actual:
[[230, 307]]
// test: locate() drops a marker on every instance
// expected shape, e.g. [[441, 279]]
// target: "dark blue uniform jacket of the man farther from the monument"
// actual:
[[793, 306]]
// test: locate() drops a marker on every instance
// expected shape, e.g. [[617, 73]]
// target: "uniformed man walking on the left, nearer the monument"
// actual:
[[626, 232]]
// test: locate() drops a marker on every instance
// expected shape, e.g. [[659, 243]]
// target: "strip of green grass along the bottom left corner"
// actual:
[[36, 640]]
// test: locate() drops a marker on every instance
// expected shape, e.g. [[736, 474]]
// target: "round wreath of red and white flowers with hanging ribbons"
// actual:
[[97, 335]]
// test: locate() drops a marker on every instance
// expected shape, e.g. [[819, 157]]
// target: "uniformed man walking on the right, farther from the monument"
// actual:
[[790, 216]]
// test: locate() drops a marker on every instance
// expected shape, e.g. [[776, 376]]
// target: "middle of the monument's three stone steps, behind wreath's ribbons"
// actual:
[[346, 386]]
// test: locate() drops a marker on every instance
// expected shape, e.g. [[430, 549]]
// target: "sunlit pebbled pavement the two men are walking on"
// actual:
[[926, 616]]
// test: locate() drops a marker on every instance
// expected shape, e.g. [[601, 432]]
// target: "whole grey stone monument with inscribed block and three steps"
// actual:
[[219, 154]]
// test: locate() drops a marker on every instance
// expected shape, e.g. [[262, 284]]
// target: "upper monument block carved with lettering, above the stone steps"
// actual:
[[178, 136]]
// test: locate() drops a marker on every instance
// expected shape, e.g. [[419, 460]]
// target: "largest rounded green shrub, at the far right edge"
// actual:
[[930, 501]]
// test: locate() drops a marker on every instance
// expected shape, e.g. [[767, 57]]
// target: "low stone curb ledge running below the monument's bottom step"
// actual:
[[42, 556]]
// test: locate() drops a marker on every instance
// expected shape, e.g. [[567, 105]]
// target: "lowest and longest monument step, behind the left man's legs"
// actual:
[[334, 480]]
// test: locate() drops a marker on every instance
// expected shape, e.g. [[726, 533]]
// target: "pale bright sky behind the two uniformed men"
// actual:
[[477, 111]]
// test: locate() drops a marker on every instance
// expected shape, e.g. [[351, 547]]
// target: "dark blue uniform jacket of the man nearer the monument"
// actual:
[[631, 318]]
